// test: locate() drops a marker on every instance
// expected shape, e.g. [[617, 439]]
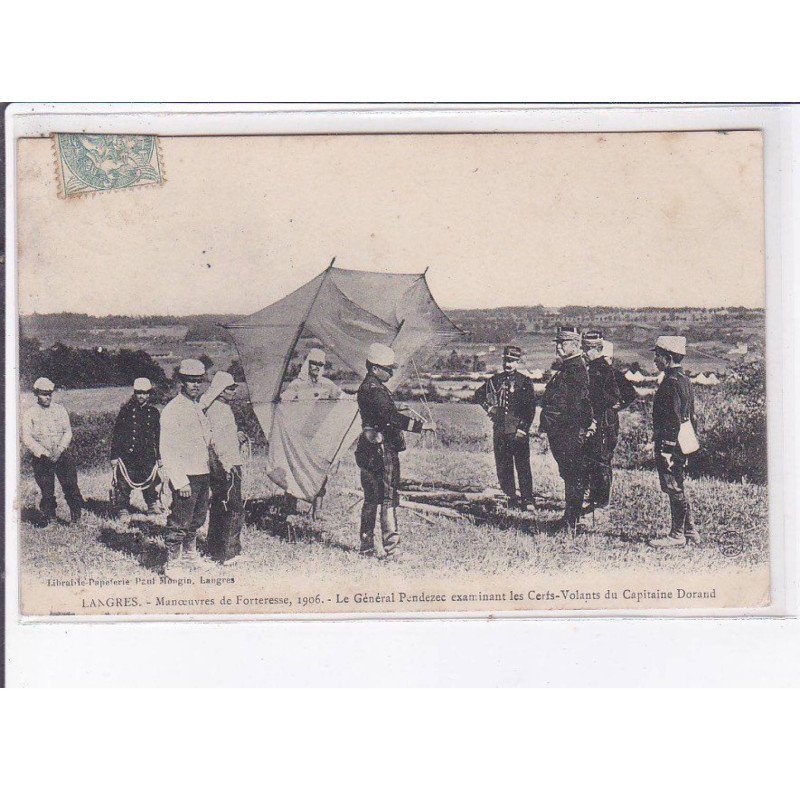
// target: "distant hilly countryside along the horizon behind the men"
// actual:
[[713, 333]]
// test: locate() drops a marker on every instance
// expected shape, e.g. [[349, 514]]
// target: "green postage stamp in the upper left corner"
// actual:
[[89, 163]]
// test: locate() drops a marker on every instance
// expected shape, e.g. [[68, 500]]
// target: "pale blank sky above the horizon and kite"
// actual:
[[626, 219]]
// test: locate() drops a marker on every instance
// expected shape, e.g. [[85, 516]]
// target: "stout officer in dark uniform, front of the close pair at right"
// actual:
[[566, 417]]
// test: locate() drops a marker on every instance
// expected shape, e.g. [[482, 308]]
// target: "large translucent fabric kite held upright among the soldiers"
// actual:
[[345, 311]]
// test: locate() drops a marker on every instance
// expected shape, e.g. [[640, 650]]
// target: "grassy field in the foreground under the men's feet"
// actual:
[[491, 544]]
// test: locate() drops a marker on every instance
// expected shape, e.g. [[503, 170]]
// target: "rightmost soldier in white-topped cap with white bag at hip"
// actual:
[[673, 405]]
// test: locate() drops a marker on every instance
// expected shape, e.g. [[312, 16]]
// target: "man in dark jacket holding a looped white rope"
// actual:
[[134, 451]]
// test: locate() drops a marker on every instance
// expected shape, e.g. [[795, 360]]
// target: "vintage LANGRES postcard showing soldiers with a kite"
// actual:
[[455, 373]]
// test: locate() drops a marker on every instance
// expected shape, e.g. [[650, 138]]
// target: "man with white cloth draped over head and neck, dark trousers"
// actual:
[[227, 509]]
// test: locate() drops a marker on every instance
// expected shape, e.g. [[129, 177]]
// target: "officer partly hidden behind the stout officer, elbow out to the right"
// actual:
[[607, 400]]
